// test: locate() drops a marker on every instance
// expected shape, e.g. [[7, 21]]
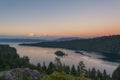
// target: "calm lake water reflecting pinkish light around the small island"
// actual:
[[39, 54]]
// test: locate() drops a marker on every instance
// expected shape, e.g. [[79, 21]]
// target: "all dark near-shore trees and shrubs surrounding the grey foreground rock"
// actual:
[[9, 59]]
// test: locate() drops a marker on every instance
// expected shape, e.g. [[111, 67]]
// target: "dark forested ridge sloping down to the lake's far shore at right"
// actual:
[[108, 46]]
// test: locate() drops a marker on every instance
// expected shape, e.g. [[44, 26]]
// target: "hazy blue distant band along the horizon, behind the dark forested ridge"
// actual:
[[34, 39]]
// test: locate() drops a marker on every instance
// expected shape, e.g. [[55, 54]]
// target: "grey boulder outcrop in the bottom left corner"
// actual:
[[20, 74]]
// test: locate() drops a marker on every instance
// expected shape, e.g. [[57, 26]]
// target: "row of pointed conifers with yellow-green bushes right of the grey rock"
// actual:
[[57, 71]]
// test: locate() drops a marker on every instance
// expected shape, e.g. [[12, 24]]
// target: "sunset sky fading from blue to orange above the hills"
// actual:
[[78, 18]]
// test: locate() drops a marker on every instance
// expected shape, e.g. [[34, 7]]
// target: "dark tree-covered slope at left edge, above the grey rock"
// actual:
[[10, 59]]
